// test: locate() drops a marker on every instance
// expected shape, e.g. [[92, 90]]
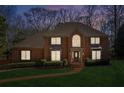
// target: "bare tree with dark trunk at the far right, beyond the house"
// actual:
[[114, 17]]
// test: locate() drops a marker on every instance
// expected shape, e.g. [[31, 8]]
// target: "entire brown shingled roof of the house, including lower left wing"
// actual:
[[62, 29]]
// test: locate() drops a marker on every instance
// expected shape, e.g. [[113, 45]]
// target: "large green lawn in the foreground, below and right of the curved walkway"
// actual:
[[111, 75]]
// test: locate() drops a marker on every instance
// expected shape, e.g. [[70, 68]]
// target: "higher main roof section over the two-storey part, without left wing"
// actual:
[[66, 29]]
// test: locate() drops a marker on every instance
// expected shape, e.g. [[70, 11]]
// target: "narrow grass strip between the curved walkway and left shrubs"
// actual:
[[29, 72]]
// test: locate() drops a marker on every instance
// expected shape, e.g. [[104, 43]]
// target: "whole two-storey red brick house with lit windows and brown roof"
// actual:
[[73, 41]]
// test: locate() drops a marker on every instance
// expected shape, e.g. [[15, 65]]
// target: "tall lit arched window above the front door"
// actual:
[[76, 41]]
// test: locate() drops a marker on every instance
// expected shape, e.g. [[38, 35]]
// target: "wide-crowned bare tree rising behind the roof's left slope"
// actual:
[[40, 18]]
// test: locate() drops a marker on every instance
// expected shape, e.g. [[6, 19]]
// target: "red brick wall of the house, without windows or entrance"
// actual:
[[45, 53]]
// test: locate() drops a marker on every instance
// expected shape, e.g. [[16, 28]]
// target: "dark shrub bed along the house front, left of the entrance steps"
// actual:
[[37, 64]]
